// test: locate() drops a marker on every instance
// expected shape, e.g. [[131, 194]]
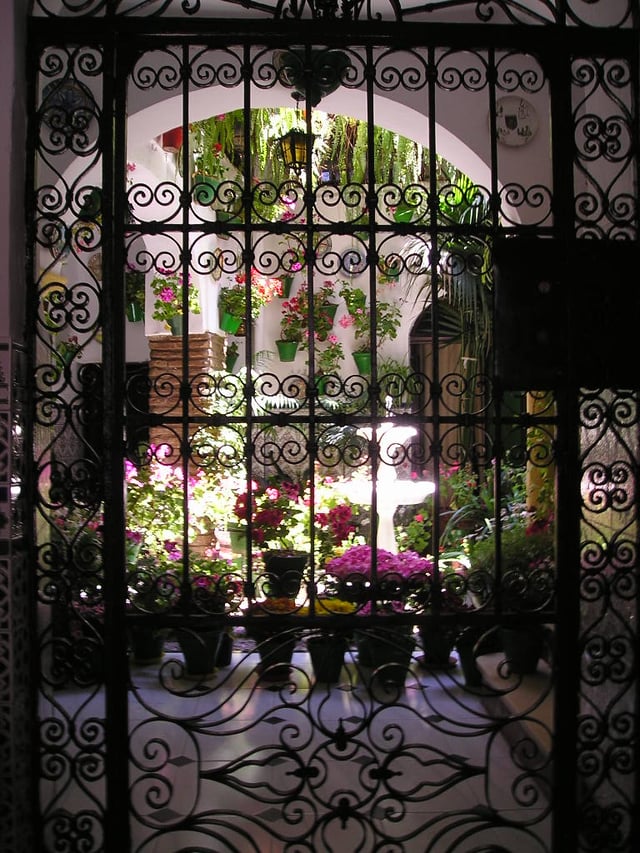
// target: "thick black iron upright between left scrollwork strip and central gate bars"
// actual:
[[116, 828]]
